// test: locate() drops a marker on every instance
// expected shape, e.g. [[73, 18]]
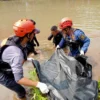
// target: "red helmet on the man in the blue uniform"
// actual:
[[65, 22]]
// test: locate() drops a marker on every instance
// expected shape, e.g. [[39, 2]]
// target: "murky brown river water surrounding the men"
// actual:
[[84, 13]]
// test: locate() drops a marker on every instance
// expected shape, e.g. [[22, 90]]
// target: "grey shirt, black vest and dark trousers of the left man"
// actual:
[[12, 56]]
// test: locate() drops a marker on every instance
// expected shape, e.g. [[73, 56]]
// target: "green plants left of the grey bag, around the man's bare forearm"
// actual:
[[35, 92]]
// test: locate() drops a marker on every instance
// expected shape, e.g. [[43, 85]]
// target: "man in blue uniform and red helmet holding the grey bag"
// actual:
[[74, 38]]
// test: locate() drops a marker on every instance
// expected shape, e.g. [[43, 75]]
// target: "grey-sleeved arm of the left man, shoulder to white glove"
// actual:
[[14, 56]]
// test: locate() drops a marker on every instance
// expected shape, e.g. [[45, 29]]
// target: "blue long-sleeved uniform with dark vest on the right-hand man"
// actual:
[[80, 42]]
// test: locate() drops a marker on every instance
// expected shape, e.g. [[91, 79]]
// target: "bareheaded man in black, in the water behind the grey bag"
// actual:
[[56, 35]]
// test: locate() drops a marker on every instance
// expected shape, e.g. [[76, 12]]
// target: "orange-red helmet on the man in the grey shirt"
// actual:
[[23, 27]]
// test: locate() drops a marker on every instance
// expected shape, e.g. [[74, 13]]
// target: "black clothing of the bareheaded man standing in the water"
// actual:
[[56, 39]]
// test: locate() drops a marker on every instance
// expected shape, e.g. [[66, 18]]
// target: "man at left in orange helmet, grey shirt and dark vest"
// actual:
[[12, 57]]
